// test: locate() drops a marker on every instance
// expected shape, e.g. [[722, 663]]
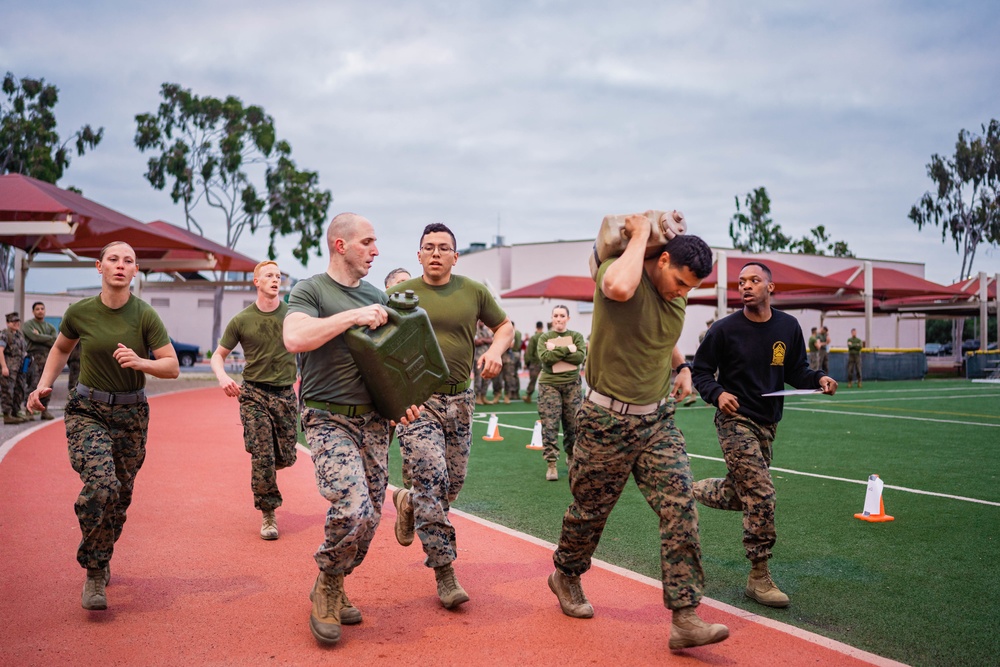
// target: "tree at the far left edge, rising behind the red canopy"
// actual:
[[30, 144]]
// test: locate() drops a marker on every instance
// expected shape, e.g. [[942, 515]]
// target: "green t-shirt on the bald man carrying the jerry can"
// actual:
[[329, 373]]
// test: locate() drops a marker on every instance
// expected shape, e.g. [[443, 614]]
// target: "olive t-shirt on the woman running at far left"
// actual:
[[100, 329]]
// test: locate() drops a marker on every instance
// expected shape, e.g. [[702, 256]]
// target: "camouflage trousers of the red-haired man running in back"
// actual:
[[269, 437]]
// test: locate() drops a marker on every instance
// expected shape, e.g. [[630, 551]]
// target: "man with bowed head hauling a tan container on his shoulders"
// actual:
[[626, 426]]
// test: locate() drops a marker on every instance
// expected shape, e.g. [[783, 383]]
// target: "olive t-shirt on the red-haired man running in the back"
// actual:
[[259, 334]]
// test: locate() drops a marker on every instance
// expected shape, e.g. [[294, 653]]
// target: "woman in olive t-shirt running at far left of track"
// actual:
[[107, 415]]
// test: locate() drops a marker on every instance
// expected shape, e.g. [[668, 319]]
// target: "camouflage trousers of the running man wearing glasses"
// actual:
[[436, 457]]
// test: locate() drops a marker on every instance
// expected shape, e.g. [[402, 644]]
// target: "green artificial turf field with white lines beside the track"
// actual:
[[922, 589]]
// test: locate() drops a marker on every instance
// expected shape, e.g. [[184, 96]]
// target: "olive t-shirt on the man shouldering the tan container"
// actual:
[[632, 341]]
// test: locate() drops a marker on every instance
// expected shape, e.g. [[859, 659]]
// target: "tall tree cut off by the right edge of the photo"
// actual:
[[966, 201]]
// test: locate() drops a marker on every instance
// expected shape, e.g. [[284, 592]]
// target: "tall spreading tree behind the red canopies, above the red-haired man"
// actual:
[[222, 159]]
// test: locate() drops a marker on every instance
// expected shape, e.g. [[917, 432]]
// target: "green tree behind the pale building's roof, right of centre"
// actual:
[[752, 230]]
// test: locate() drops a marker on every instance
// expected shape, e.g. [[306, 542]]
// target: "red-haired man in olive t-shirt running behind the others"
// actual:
[[267, 397]]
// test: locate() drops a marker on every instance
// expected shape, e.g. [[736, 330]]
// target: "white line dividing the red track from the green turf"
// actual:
[[799, 633]]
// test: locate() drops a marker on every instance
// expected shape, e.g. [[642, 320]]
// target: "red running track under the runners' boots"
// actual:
[[193, 583]]
